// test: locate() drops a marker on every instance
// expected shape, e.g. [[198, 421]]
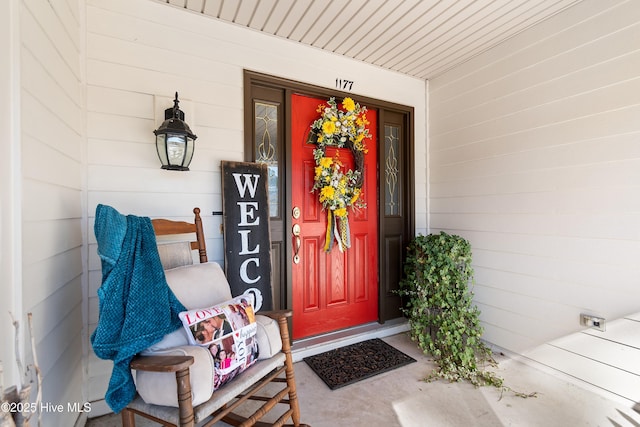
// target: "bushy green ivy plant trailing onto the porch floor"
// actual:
[[438, 303]]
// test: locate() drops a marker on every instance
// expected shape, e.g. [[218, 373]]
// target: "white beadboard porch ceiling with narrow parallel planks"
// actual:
[[420, 38]]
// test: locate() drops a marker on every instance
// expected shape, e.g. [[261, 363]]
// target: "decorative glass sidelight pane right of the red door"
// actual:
[[392, 177]]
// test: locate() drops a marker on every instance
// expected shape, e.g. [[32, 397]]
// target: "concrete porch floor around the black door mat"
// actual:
[[400, 398]]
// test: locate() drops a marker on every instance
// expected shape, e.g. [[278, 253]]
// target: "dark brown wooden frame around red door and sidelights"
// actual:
[[253, 79]]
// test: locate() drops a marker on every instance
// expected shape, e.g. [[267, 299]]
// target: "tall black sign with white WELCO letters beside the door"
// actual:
[[246, 231]]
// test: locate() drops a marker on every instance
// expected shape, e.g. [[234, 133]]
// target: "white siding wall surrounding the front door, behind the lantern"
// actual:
[[137, 58]]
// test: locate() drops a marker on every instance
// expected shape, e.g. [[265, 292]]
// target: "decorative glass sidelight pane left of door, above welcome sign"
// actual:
[[266, 146]]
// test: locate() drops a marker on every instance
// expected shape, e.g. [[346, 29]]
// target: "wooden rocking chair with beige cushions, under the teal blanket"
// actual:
[[158, 370]]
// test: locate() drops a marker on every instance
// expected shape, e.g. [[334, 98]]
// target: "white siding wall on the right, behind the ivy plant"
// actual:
[[535, 158]]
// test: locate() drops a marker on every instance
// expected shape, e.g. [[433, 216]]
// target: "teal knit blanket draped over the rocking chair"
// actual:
[[137, 307]]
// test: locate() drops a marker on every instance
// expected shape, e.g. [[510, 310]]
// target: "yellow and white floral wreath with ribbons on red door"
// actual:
[[339, 189]]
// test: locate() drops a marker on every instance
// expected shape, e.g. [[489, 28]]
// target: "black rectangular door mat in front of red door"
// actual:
[[356, 362]]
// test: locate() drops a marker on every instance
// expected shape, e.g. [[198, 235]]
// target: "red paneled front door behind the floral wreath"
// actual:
[[331, 290]]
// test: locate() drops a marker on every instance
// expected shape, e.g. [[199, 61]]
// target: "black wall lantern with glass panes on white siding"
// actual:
[[174, 140]]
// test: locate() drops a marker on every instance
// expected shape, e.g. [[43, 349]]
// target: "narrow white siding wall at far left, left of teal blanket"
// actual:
[[52, 147]]
